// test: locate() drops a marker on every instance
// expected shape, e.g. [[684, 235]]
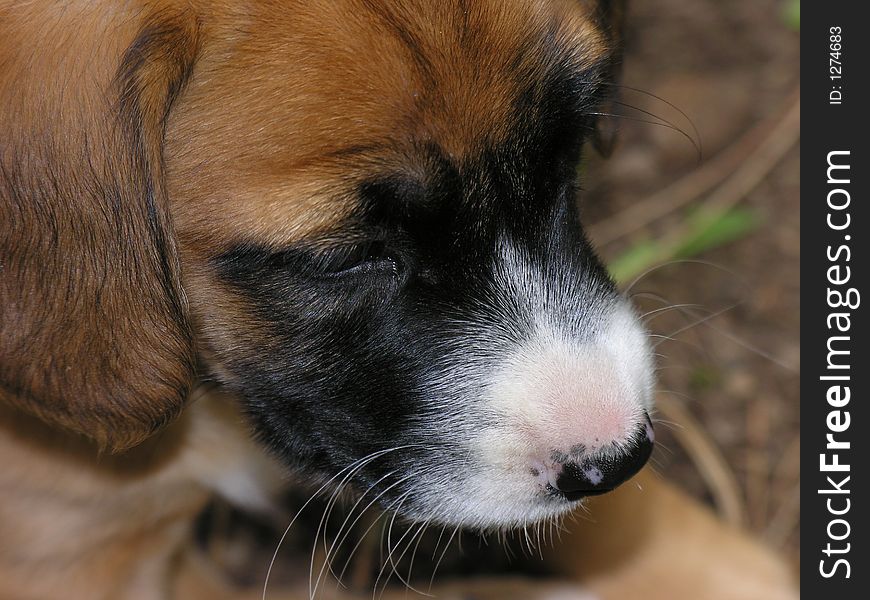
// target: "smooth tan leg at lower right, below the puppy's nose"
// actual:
[[649, 540]]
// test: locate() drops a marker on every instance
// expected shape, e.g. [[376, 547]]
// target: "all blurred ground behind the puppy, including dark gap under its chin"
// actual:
[[697, 213]]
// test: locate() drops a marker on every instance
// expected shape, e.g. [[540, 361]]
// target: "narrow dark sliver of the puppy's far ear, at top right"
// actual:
[[610, 17]]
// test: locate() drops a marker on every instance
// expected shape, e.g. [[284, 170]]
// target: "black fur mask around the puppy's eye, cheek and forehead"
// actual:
[[351, 336]]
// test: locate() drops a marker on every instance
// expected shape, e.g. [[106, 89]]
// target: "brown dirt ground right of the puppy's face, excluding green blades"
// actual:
[[733, 68]]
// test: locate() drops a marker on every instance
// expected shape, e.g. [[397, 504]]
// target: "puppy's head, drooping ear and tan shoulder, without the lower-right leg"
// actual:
[[357, 219]]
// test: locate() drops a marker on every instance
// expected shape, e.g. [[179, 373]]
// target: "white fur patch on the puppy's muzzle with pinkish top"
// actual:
[[562, 367]]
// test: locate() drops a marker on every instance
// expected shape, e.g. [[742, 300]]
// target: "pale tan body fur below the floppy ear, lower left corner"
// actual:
[[78, 524]]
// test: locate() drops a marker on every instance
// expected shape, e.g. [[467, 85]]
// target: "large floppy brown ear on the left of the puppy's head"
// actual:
[[94, 331]]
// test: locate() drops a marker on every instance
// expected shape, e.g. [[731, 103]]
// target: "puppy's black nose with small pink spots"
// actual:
[[604, 470]]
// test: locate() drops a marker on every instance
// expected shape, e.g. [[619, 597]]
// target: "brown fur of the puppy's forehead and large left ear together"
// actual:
[[267, 141]]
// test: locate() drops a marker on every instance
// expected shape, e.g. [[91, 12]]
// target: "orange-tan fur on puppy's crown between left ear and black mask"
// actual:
[[292, 118]]
